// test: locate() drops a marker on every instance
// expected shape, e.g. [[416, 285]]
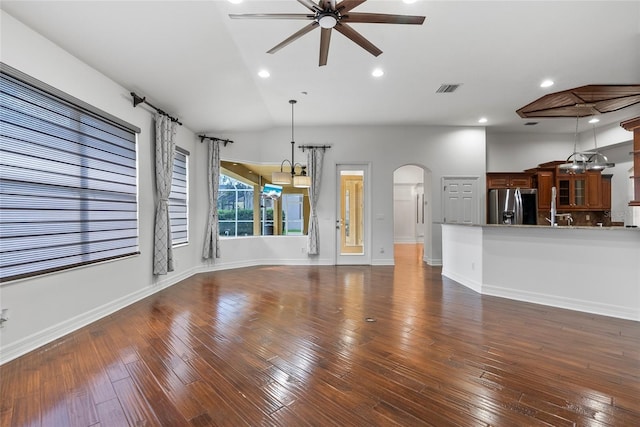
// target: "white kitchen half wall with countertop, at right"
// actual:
[[590, 269]]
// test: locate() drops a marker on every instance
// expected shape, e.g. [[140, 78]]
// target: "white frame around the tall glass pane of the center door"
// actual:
[[366, 258]]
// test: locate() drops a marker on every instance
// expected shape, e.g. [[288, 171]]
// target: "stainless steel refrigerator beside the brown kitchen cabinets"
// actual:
[[513, 206]]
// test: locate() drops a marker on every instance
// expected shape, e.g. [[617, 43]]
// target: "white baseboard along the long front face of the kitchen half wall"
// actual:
[[563, 302]]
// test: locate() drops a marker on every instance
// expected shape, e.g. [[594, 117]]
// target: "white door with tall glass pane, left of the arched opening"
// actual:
[[352, 215]]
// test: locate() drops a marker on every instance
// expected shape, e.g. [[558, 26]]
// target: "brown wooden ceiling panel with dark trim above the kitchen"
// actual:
[[583, 101]]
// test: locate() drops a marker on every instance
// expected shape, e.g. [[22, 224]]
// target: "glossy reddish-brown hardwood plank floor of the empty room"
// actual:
[[293, 346]]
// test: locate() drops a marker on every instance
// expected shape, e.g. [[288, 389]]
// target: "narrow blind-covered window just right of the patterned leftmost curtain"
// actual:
[[178, 212]]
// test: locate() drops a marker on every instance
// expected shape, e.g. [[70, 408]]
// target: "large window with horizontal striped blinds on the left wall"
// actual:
[[68, 181]]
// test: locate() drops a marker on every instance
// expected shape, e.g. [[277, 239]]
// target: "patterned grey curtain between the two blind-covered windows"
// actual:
[[165, 148]]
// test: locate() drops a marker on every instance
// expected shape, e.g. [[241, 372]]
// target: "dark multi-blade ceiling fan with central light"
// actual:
[[328, 15]]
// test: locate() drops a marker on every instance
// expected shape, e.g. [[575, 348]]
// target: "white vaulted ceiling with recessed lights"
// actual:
[[190, 59]]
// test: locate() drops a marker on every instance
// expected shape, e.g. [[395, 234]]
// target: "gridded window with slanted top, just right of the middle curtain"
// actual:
[[235, 207]]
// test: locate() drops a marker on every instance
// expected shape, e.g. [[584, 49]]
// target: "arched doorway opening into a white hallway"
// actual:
[[412, 208]]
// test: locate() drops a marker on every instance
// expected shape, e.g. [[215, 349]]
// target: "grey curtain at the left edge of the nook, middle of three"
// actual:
[[211, 239]]
